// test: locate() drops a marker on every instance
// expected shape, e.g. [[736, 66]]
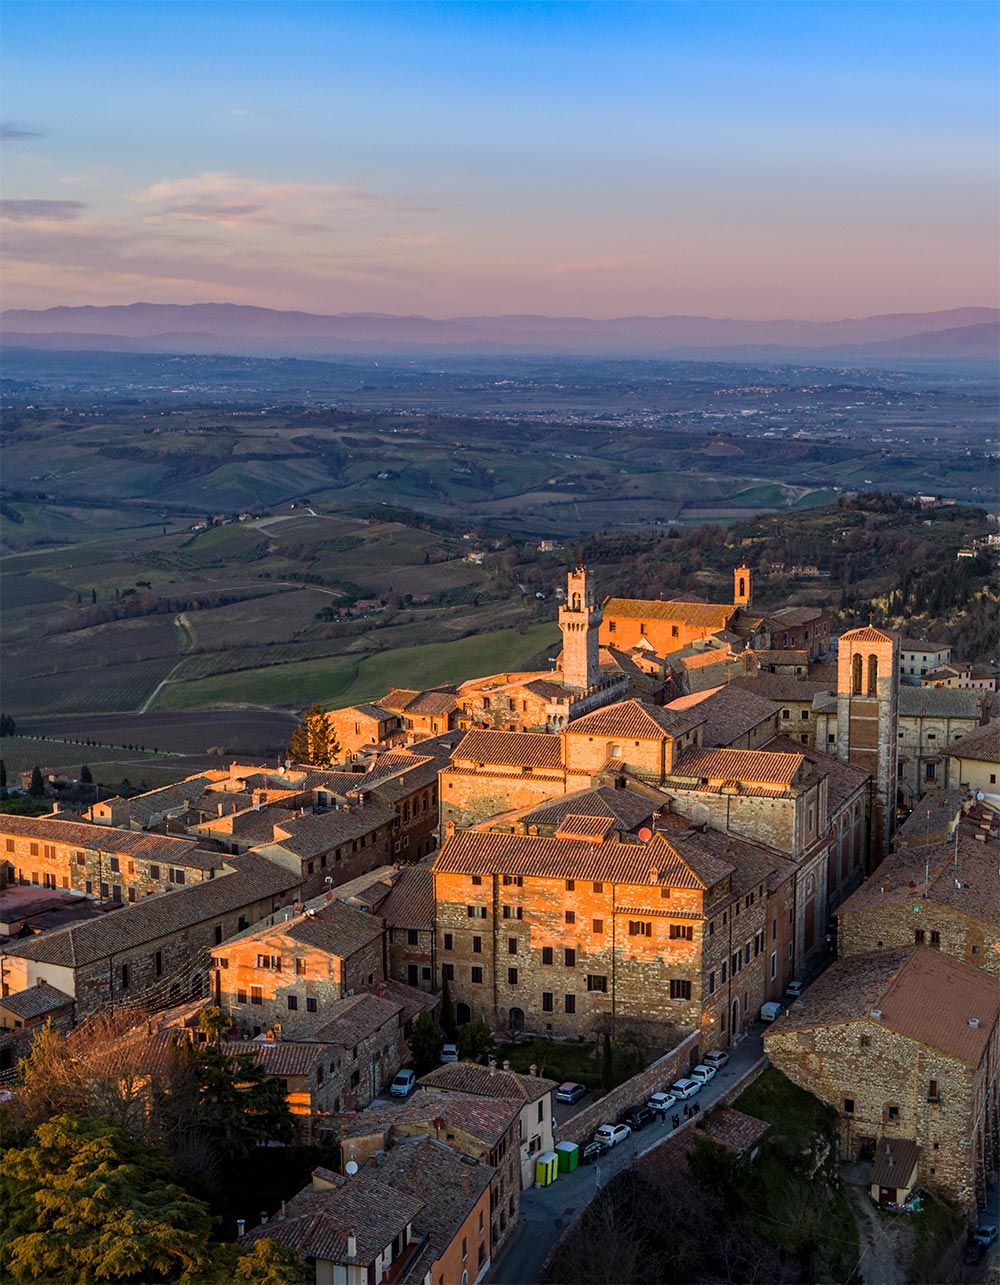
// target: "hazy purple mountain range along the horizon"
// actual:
[[958, 333]]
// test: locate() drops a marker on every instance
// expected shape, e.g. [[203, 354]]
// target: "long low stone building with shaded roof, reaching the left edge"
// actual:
[[155, 952]]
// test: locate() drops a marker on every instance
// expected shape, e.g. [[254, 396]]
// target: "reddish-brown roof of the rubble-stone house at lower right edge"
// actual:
[[920, 994]]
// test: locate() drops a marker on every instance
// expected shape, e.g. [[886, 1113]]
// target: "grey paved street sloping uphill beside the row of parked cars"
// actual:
[[546, 1212]]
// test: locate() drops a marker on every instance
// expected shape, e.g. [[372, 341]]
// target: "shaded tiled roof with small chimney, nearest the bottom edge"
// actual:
[[318, 1221]]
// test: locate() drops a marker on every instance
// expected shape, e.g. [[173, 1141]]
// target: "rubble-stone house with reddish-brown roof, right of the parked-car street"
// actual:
[[904, 1045]]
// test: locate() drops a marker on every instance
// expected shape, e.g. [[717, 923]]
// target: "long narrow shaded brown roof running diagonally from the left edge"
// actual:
[[161, 916]]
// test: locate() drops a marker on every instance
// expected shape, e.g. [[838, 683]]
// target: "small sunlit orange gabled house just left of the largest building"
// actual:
[[285, 973]]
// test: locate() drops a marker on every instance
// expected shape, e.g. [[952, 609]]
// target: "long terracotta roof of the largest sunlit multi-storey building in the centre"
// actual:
[[479, 853]]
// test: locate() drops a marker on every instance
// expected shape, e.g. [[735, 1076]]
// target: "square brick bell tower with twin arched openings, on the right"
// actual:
[[868, 687]]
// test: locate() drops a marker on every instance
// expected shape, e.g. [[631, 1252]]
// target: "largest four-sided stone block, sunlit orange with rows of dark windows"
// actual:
[[561, 935]]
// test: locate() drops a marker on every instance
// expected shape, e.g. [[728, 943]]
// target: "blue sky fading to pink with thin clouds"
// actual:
[[760, 160]]
